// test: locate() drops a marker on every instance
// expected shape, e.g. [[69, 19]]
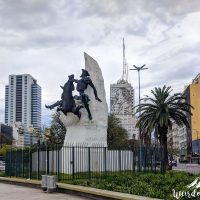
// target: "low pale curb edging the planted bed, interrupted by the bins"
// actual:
[[77, 190]]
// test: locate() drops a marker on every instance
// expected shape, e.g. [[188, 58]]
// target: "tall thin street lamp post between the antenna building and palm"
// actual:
[[138, 69]]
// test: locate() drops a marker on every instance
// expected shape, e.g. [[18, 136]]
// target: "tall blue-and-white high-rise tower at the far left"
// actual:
[[23, 101]]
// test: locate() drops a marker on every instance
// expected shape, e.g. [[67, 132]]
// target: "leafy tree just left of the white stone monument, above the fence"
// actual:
[[56, 133]]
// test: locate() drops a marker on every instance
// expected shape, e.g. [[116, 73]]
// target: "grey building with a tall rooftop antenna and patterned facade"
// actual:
[[122, 101]]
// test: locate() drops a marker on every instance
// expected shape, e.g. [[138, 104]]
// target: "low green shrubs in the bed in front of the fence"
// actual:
[[144, 184]]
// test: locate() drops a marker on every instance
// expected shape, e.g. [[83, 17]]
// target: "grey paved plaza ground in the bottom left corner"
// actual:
[[14, 192]]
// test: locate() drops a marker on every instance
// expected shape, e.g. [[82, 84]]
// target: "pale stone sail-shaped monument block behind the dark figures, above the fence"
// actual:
[[89, 132]]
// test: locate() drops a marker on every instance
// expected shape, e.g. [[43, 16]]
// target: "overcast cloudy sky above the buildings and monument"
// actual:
[[47, 38]]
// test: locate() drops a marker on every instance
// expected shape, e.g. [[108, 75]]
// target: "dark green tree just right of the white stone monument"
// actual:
[[117, 136]]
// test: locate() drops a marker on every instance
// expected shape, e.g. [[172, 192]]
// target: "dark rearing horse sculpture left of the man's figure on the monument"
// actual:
[[67, 103]]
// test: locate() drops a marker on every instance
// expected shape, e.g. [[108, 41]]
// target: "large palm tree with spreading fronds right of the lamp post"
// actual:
[[159, 112]]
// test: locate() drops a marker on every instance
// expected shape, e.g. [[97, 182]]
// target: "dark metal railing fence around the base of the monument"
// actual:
[[78, 162]]
